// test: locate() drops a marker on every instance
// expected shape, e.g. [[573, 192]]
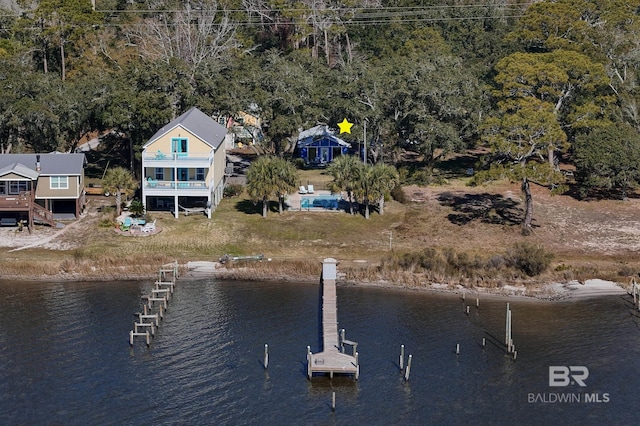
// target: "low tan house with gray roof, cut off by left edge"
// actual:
[[41, 187]]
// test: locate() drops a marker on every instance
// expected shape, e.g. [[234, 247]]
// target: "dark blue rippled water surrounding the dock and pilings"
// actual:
[[65, 357]]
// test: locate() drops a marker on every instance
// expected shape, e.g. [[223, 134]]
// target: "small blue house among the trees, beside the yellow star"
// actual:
[[318, 146]]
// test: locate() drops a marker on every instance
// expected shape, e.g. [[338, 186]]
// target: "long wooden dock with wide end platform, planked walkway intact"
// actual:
[[332, 360]]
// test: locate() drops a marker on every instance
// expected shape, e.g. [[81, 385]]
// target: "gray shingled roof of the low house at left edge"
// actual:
[[50, 164]]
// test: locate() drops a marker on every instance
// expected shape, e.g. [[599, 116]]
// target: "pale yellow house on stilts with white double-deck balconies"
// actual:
[[183, 165]]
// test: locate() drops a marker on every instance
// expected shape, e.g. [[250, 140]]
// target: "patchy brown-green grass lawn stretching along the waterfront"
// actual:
[[595, 239]]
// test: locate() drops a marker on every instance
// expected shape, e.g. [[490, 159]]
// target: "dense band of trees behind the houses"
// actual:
[[536, 82]]
